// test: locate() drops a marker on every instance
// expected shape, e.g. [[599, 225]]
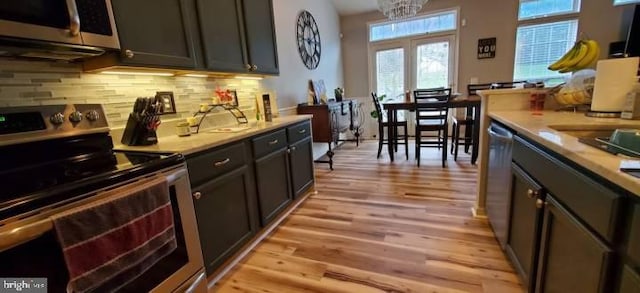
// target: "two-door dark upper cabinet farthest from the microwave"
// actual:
[[238, 36]]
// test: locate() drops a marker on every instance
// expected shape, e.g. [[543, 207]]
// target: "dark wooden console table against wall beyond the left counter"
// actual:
[[331, 119]]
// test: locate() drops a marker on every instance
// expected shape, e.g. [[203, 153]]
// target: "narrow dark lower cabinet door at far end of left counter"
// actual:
[[301, 166]]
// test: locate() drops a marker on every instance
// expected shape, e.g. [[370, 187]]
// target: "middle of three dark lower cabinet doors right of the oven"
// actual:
[[272, 178]]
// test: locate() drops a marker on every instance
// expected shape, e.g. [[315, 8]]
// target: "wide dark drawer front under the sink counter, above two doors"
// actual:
[[592, 202]]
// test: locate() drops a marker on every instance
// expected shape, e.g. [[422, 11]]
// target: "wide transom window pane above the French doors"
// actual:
[[414, 26]]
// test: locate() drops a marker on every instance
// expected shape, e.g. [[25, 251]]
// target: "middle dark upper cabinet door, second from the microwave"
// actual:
[[222, 33]]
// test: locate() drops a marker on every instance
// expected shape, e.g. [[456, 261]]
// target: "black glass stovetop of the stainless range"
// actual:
[[34, 175]]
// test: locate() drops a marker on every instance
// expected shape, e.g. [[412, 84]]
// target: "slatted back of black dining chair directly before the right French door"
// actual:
[[432, 106]]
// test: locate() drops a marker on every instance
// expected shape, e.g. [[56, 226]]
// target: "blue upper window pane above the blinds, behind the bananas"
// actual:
[[541, 8]]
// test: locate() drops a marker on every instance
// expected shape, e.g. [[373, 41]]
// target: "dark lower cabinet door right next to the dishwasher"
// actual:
[[525, 223]]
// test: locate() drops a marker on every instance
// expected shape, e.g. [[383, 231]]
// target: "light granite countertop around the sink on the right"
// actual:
[[542, 129]]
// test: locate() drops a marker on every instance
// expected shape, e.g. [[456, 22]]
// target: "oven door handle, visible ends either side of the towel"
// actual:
[[38, 226]]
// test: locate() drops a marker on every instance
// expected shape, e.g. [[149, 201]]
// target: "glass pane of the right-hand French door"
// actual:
[[433, 65]]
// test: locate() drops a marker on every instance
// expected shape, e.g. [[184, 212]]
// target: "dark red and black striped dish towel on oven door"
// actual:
[[109, 243]]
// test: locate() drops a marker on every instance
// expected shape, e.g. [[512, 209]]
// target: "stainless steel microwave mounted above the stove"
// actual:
[[74, 25]]
